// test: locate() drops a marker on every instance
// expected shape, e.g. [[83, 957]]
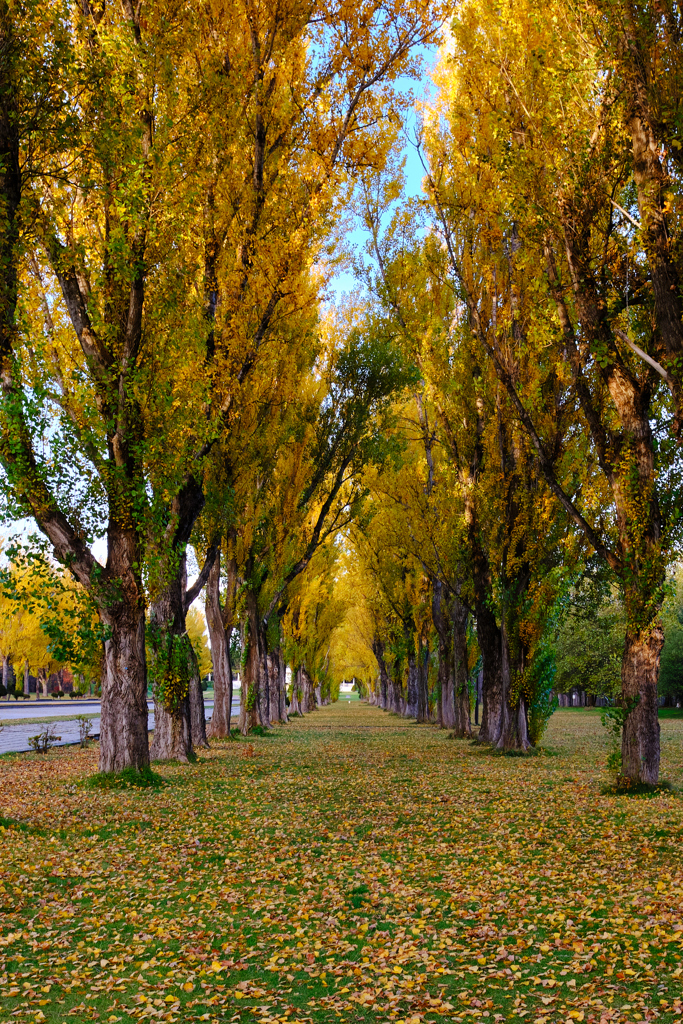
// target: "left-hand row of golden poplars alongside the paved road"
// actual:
[[170, 183]]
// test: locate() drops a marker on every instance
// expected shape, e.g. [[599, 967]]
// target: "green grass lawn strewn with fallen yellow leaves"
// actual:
[[351, 868]]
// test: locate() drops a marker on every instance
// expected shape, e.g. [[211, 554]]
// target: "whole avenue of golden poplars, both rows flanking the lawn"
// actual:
[[498, 419]]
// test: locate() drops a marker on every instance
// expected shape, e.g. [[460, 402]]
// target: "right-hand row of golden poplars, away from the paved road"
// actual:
[[538, 289]]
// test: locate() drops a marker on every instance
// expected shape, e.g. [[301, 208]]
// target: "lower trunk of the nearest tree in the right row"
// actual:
[[641, 740]]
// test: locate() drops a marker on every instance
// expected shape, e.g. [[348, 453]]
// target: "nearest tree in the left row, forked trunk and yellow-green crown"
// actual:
[[89, 237]]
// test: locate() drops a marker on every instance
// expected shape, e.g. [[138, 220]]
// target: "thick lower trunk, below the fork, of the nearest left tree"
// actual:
[[123, 730]]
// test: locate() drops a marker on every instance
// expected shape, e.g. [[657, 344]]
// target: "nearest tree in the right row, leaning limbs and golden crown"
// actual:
[[534, 188]]
